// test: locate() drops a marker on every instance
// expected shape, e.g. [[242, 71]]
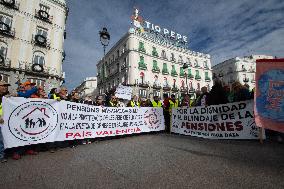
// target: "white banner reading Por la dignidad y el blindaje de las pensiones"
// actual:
[[226, 121]]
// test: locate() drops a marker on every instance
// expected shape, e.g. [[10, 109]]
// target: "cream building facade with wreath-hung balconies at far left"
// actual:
[[32, 34]]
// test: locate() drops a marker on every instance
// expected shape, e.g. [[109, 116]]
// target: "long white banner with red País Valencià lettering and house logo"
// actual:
[[32, 121]]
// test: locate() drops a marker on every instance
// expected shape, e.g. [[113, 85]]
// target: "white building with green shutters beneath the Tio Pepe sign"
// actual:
[[152, 64]]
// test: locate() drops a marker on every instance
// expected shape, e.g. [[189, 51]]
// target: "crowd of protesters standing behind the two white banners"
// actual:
[[219, 94]]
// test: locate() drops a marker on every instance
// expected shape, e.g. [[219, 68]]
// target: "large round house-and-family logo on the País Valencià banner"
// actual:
[[33, 120]]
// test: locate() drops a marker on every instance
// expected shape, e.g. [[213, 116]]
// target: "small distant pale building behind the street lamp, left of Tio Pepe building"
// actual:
[[87, 87]]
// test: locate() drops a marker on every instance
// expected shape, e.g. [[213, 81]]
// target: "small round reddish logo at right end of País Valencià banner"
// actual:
[[152, 118]]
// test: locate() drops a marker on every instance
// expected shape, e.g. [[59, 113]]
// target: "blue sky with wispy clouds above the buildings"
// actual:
[[222, 28]]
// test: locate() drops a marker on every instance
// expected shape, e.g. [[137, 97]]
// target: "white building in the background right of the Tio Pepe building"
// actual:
[[238, 69]]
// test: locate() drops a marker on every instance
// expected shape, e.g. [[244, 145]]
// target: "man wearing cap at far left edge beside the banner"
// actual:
[[3, 92]]
